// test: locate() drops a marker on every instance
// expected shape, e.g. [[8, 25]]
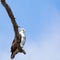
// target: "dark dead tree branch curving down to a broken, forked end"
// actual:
[[15, 48]]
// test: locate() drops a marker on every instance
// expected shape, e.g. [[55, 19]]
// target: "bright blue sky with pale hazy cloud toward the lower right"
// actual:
[[41, 20]]
